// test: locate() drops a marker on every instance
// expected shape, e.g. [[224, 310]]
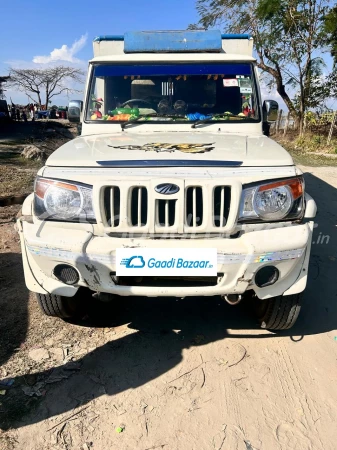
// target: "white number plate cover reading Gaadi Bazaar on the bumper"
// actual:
[[166, 262]]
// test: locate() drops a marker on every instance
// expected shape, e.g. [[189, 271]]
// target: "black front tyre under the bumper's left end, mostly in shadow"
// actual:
[[58, 306]]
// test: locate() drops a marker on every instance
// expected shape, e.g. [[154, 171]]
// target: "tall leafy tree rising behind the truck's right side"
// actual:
[[288, 37]]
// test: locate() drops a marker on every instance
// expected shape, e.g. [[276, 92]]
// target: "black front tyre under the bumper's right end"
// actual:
[[278, 313]]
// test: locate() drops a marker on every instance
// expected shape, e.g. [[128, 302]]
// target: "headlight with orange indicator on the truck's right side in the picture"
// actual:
[[273, 201]]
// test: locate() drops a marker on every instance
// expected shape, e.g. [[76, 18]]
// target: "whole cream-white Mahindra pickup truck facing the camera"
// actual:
[[173, 187]]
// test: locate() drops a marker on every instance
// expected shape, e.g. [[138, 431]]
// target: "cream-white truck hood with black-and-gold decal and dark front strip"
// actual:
[[170, 149]]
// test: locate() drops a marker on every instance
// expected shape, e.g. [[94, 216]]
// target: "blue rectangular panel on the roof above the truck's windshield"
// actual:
[[172, 41]]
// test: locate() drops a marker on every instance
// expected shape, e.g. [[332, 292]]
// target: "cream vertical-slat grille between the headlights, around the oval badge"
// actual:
[[198, 207]]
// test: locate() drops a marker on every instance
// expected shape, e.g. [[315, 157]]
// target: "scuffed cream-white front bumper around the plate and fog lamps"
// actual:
[[43, 247]]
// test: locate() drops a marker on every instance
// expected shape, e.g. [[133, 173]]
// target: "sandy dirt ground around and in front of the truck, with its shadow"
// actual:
[[170, 374]]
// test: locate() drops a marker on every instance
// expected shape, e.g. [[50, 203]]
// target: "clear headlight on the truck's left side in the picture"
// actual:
[[63, 200]]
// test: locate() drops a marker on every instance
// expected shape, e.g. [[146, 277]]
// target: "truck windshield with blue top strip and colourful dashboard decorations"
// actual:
[[176, 92]]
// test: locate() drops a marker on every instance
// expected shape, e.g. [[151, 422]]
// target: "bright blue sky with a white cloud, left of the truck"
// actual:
[[39, 33]]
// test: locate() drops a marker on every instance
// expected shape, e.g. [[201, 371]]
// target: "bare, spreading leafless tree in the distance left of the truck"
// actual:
[[48, 82]]
